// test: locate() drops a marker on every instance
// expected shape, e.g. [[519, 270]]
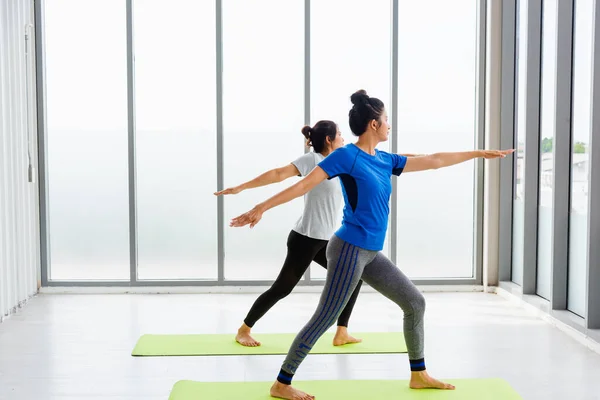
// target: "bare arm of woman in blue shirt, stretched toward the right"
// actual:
[[441, 160]]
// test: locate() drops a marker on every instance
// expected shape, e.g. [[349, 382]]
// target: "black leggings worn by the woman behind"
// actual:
[[302, 250]]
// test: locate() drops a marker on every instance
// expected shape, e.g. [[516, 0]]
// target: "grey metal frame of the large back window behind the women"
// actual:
[[221, 281]]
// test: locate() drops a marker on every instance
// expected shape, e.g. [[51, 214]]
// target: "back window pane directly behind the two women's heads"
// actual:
[[345, 57]]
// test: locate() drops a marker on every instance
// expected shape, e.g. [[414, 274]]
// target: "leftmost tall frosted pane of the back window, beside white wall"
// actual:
[[86, 78]]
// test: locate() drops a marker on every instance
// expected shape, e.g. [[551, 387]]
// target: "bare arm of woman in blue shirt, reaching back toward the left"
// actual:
[[298, 189]]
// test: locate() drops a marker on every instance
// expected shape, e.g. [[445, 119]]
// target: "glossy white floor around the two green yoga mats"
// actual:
[[78, 346]]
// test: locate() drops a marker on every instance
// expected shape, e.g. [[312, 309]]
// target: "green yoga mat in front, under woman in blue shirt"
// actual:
[[466, 389]]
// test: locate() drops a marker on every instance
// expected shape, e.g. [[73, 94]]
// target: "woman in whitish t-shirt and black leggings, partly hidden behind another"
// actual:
[[308, 239]]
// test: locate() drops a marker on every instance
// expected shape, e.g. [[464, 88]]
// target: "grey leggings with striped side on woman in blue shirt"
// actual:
[[347, 265]]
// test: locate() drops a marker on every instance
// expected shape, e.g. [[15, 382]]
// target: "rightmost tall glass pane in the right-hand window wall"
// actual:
[[580, 172]]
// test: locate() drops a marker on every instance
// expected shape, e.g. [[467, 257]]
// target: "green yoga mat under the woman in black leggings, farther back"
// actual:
[[225, 345]]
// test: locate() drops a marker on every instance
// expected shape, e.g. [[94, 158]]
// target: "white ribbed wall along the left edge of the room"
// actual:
[[19, 221]]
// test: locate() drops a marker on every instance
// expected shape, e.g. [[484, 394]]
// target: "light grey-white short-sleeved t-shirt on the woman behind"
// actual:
[[322, 205]]
